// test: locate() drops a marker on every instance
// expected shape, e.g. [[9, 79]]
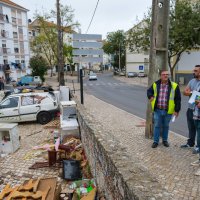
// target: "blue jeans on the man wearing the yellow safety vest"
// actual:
[[161, 122]]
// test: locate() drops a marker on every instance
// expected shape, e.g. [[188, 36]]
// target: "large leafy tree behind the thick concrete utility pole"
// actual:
[[184, 19]]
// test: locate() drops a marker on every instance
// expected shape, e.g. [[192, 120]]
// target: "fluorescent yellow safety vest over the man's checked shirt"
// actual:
[[171, 104]]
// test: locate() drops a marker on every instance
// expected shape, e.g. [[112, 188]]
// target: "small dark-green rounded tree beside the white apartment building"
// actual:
[[38, 65]]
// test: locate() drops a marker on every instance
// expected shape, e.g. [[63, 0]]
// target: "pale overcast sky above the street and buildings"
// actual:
[[111, 15]]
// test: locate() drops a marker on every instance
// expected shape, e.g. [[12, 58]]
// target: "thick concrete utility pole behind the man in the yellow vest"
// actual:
[[158, 50]]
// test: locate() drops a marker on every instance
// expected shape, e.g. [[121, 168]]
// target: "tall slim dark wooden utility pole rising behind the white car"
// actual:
[[60, 58]]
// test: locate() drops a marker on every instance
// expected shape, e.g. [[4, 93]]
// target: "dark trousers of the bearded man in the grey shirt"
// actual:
[[191, 127]]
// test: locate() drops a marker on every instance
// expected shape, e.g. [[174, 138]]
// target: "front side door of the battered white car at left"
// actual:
[[9, 110]]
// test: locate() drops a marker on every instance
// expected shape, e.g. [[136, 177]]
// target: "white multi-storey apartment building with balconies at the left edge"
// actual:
[[14, 40]]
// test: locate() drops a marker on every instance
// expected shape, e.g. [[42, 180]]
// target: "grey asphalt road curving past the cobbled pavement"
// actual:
[[131, 98]]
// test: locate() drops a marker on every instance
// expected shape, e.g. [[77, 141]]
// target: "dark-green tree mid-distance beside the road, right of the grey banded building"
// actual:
[[116, 44]]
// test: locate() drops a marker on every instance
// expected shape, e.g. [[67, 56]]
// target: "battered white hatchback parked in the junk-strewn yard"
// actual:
[[29, 107]]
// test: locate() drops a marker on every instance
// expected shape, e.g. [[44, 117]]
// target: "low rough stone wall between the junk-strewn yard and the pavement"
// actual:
[[117, 176]]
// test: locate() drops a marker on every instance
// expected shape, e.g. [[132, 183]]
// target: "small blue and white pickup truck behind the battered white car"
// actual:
[[29, 80]]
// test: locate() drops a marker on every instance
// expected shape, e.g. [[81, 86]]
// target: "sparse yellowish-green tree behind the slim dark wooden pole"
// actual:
[[45, 44]]
